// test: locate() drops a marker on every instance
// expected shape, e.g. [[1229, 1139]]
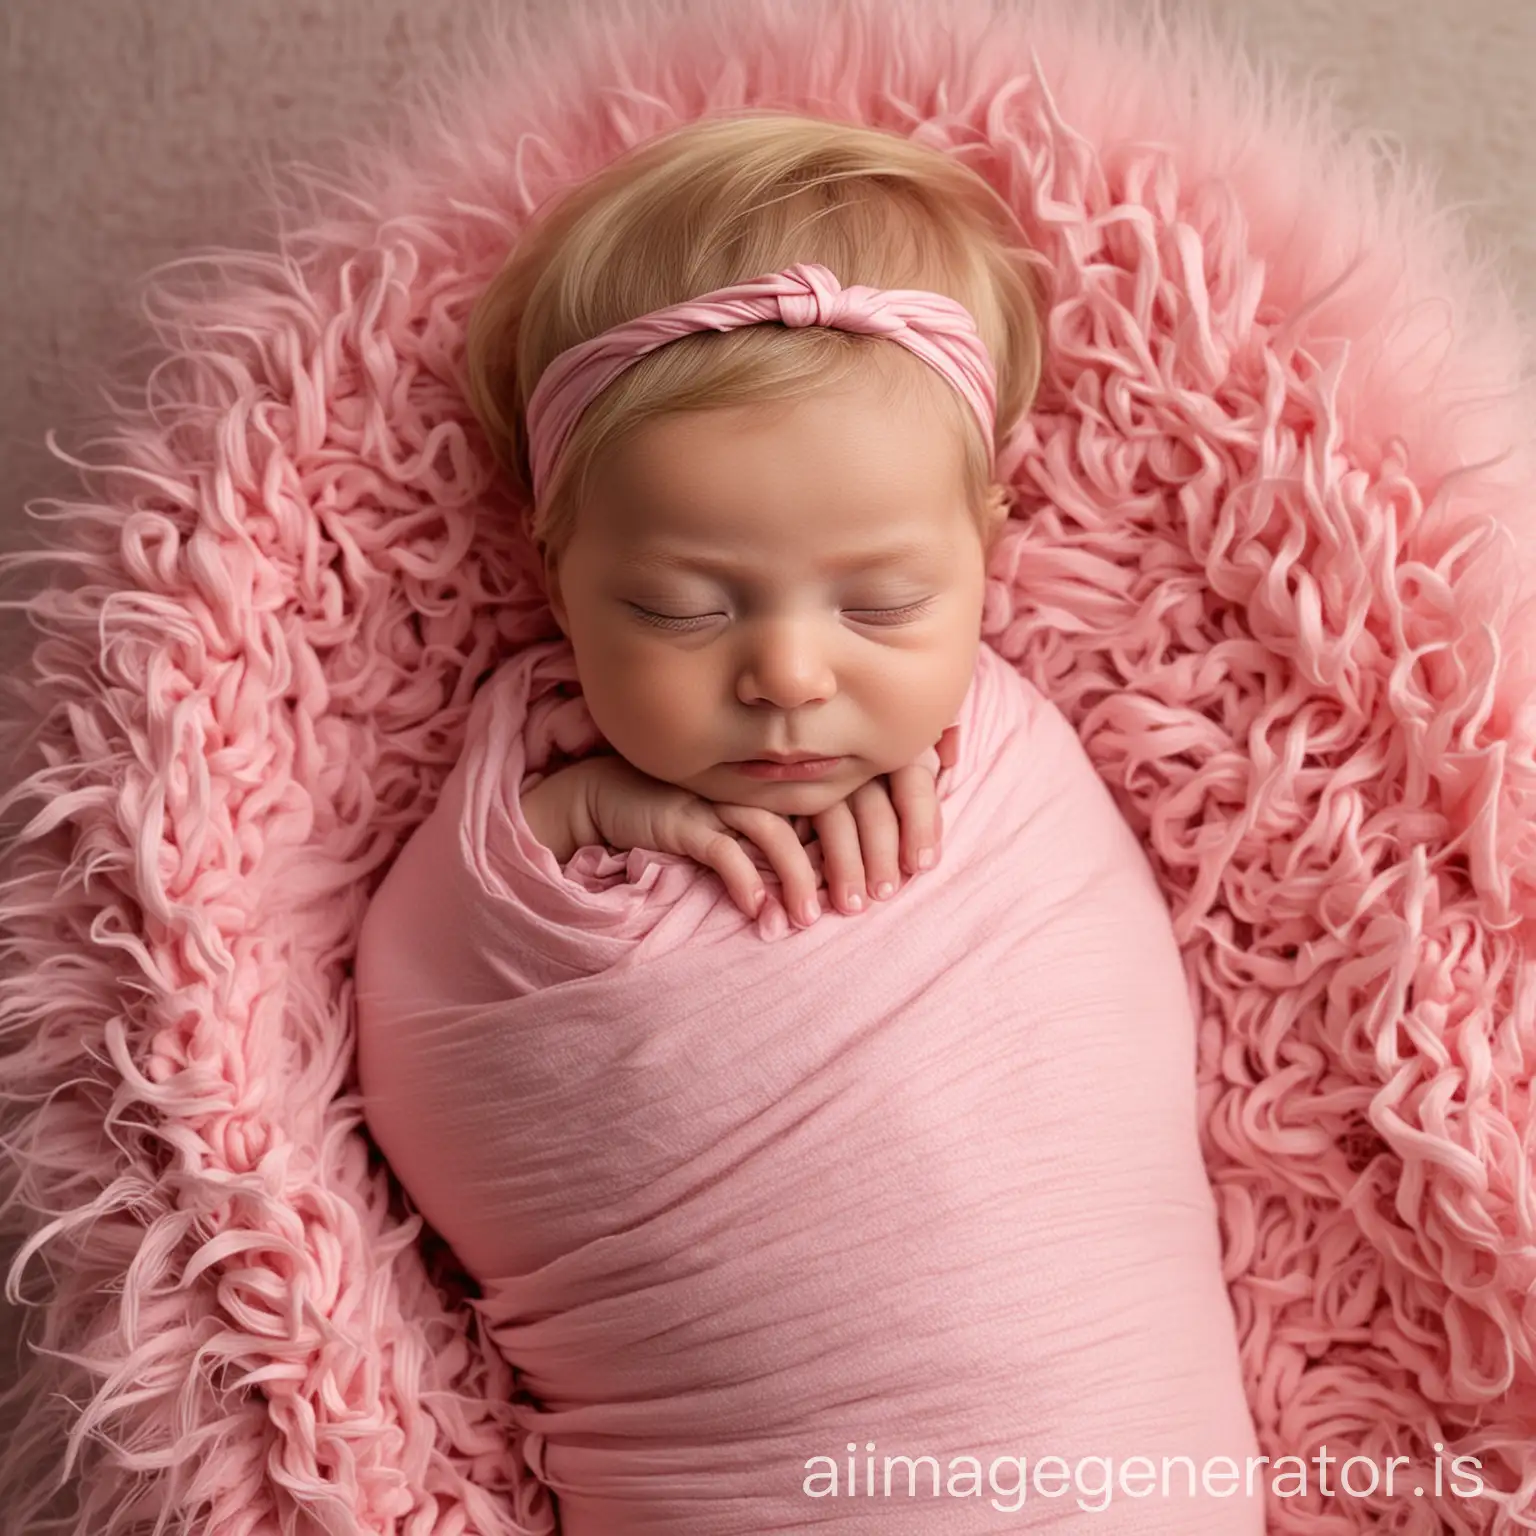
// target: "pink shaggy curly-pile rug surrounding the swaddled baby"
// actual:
[[1274, 528]]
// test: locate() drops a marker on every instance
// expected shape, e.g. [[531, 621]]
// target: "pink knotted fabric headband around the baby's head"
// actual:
[[941, 331]]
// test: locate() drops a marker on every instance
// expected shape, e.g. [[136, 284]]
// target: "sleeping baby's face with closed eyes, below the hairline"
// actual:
[[801, 580]]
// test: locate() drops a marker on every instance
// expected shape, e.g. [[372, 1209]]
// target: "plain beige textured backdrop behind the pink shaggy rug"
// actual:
[[130, 131]]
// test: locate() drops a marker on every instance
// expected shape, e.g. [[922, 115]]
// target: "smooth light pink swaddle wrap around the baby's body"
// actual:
[[921, 1182]]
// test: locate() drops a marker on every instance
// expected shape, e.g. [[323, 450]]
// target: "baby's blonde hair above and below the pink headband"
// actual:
[[720, 202]]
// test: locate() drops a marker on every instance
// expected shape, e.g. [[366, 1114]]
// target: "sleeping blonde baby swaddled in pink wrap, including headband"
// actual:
[[812, 1180]]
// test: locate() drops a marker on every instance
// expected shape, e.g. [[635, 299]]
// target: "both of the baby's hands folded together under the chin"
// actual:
[[626, 809]]
